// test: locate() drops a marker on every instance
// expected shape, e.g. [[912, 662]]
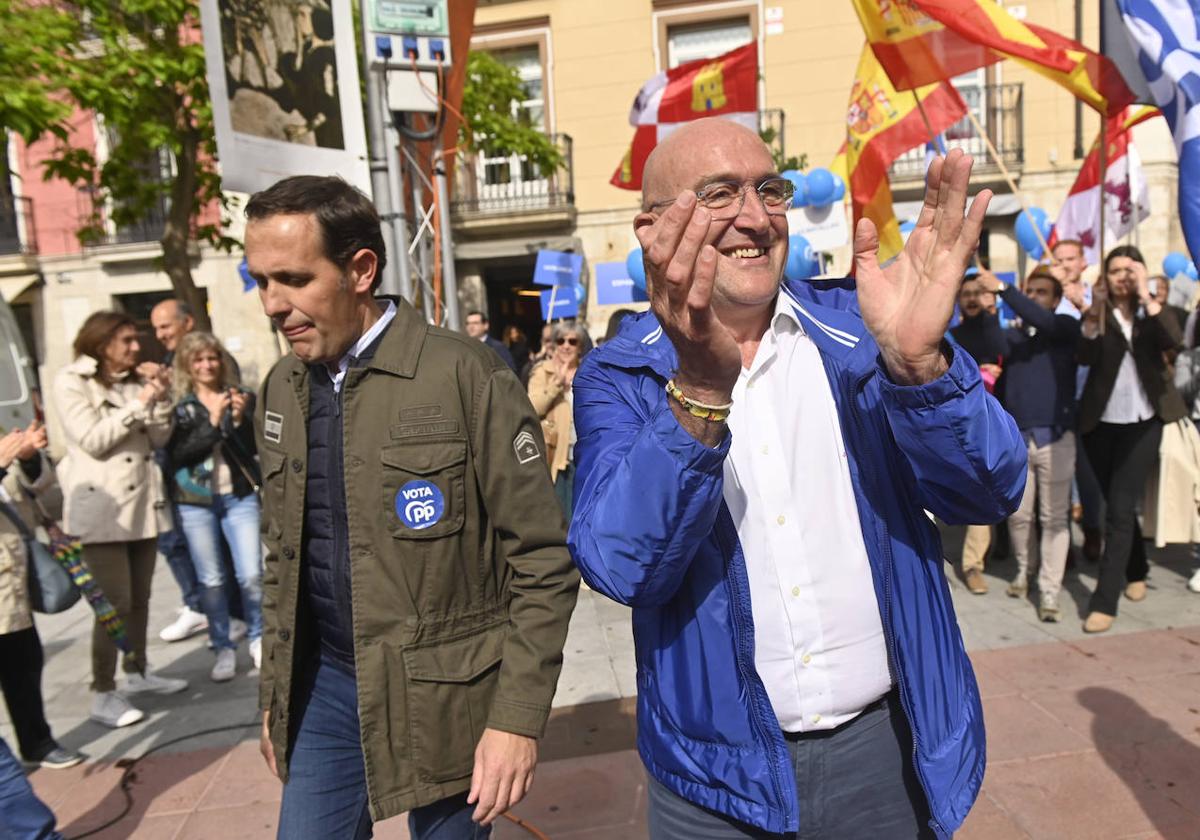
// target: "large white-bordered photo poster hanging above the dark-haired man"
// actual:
[[285, 88]]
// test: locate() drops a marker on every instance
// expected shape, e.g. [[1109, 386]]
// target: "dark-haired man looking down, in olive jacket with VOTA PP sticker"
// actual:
[[417, 586]]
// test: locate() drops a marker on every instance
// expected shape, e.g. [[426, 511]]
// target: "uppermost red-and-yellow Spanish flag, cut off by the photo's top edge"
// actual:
[[923, 41]]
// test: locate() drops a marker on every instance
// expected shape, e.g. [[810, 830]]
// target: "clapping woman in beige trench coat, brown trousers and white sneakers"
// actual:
[[115, 415]]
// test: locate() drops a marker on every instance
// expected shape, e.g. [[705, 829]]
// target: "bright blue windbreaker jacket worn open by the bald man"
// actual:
[[651, 530]]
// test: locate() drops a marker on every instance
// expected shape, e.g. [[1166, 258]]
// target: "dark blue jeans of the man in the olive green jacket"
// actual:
[[327, 790]]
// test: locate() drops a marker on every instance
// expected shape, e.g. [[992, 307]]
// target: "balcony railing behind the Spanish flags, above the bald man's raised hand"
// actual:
[[1001, 115]]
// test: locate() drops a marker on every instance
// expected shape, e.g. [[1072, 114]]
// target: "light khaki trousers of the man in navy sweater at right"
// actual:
[[1048, 495]]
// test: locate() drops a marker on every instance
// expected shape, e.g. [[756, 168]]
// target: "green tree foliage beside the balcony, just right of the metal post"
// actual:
[[495, 127]]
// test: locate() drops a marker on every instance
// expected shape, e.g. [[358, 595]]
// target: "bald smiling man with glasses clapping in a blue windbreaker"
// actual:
[[754, 463]]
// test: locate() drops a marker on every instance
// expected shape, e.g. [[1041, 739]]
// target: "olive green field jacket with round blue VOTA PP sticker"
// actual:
[[459, 625]]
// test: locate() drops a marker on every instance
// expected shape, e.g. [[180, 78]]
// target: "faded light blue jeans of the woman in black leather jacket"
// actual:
[[238, 521]]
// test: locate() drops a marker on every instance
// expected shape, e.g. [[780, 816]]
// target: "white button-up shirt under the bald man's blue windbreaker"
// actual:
[[819, 639]]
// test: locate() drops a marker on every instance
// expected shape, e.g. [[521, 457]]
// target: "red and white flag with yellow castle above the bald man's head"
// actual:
[[723, 87]]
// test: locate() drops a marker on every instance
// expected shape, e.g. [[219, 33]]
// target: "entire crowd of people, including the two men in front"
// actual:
[[418, 644]]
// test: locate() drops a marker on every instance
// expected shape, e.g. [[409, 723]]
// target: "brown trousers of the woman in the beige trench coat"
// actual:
[[124, 572]]
